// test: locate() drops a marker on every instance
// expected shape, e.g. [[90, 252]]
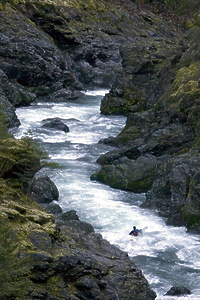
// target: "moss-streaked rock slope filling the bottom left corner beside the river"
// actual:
[[44, 259]]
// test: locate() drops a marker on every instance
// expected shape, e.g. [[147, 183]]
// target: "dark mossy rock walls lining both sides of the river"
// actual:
[[51, 51]]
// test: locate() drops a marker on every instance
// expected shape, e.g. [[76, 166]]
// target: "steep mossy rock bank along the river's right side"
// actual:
[[158, 150]]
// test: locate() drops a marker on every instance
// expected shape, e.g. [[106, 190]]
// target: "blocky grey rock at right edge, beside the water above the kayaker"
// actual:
[[175, 193]]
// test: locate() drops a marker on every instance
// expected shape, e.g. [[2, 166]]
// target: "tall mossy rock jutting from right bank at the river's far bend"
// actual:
[[148, 68]]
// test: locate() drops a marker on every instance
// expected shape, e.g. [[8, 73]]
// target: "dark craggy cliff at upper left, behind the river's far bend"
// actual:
[[54, 50]]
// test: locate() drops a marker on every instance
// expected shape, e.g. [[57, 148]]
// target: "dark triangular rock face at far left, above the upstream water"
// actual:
[[40, 67]]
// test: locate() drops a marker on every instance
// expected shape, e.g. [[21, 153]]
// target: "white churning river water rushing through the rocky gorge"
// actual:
[[167, 255]]
